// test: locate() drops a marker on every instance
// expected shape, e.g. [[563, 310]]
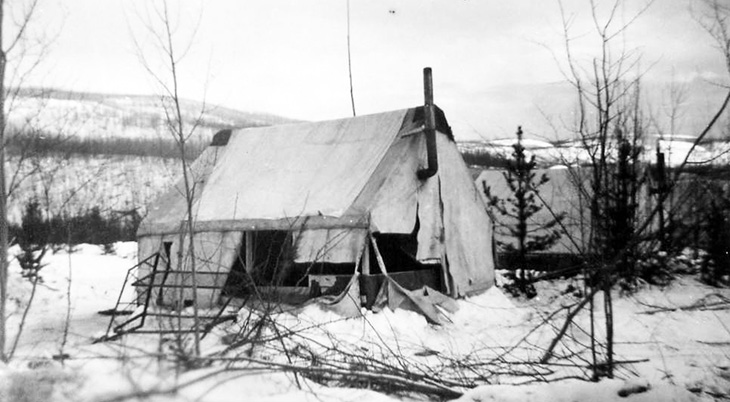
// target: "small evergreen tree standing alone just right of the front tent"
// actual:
[[514, 212]]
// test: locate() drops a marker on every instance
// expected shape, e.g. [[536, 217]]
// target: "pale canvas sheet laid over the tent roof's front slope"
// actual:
[[304, 170]]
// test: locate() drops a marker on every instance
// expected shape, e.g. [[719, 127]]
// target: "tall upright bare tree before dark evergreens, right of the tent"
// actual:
[[609, 126]]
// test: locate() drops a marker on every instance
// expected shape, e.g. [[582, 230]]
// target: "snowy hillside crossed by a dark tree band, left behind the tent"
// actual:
[[77, 151]]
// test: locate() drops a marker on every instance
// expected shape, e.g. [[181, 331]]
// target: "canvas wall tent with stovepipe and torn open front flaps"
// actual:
[[304, 208]]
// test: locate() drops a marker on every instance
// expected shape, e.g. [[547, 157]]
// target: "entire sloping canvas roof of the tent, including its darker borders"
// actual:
[[269, 176]]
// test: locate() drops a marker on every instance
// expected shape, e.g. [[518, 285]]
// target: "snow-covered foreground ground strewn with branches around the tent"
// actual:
[[688, 351]]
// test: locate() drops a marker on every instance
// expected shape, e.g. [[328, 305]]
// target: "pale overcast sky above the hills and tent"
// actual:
[[289, 57]]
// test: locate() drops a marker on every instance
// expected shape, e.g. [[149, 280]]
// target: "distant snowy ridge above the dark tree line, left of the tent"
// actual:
[[97, 116]]
